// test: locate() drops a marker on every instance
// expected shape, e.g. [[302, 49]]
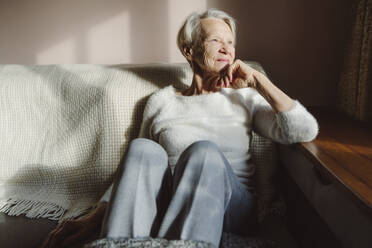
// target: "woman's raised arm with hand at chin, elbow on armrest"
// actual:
[[276, 115]]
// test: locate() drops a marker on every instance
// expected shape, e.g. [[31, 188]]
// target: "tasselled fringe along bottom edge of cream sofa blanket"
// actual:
[[32, 209]]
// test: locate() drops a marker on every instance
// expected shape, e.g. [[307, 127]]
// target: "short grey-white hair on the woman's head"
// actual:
[[189, 33]]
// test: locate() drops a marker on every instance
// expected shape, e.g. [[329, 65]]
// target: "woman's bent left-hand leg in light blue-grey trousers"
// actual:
[[142, 175]]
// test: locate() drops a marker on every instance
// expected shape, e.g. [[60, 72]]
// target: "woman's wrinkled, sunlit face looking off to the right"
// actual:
[[217, 48]]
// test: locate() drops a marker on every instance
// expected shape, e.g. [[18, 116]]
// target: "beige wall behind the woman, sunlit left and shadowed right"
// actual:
[[299, 42]]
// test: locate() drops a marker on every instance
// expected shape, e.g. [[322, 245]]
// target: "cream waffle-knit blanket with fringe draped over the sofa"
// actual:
[[63, 129]]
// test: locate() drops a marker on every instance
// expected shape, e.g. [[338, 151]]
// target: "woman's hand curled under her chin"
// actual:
[[238, 75]]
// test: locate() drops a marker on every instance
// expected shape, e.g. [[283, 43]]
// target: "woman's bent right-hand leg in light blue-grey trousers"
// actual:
[[203, 185]]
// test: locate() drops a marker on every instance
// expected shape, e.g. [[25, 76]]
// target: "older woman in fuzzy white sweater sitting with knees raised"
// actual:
[[204, 131]]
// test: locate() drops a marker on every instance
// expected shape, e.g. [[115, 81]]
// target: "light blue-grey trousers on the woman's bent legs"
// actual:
[[200, 200]]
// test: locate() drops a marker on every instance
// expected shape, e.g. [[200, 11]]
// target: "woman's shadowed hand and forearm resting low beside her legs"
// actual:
[[72, 232]]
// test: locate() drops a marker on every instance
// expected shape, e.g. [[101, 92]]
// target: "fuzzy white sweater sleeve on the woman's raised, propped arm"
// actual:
[[292, 126]]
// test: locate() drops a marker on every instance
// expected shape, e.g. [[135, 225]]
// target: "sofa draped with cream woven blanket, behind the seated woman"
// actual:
[[63, 130]]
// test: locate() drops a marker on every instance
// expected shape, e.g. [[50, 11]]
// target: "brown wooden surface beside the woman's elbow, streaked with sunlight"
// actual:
[[342, 153]]
